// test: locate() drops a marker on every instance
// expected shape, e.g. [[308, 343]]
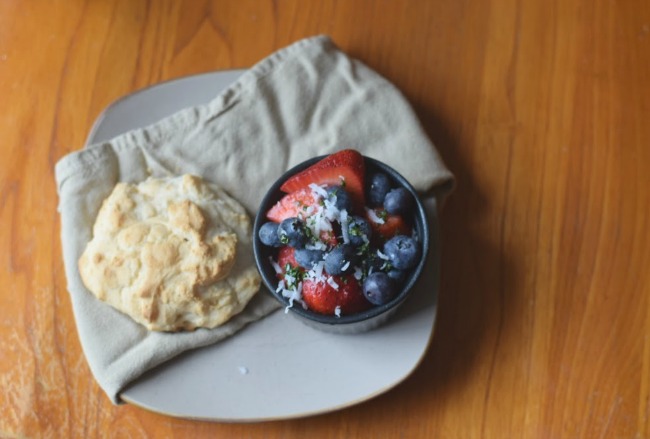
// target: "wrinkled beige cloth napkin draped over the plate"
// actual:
[[305, 100]]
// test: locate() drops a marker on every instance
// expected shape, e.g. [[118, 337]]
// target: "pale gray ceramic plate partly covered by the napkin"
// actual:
[[277, 368]]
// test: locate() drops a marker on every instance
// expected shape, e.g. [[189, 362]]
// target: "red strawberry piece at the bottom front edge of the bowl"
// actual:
[[323, 298]]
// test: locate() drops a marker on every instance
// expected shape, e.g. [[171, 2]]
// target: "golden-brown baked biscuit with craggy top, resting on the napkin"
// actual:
[[174, 254]]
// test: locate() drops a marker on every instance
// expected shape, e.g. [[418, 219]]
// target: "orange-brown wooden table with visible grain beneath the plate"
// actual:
[[542, 110]]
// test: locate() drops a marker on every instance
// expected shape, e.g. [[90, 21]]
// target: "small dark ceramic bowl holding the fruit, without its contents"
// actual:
[[351, 323]]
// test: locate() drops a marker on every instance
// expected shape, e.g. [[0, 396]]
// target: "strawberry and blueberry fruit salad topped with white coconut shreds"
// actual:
[[345, 240]]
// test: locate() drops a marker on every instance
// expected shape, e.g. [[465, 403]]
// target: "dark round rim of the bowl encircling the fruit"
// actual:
[[270, 281]]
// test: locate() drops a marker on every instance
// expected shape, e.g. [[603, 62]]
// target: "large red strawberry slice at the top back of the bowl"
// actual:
[[343, 168]]
